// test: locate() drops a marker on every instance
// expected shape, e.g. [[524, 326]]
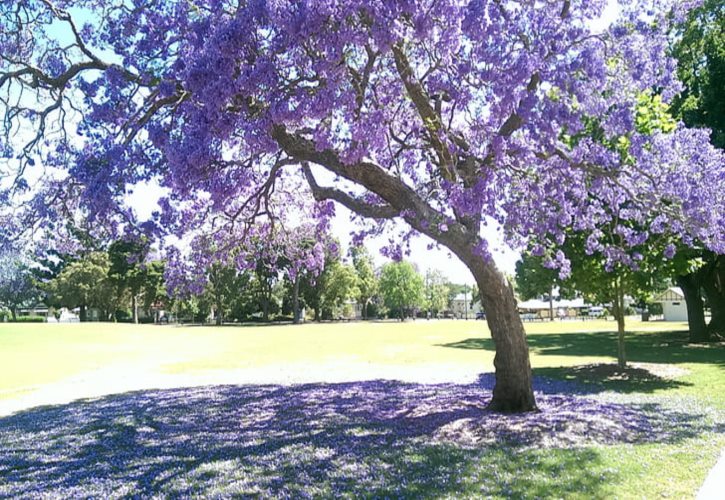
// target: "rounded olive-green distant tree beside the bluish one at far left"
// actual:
[[85, 283]]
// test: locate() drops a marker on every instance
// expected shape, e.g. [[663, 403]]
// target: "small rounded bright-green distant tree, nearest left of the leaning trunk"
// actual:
[[402, 288]]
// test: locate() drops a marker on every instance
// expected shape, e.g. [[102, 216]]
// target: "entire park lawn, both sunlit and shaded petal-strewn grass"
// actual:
[[364, 409]]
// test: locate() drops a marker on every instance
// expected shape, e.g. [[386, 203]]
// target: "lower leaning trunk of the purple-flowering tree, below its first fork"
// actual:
[[513, 390]]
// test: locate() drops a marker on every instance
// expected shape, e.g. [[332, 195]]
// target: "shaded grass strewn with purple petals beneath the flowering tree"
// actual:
[[369, 439]]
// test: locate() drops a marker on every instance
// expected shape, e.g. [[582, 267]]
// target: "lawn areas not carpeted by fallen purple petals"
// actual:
[[34, 357]]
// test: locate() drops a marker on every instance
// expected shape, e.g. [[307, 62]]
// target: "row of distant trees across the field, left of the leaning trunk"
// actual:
[[126, 281]]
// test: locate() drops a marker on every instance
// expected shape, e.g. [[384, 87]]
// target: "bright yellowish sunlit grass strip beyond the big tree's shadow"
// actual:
[[35, 354]]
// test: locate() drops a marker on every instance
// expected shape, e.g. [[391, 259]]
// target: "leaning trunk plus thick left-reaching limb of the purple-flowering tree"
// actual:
[[513, 391]]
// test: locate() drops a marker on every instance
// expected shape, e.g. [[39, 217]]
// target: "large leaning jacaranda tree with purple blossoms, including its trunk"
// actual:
[[447, 115]]
